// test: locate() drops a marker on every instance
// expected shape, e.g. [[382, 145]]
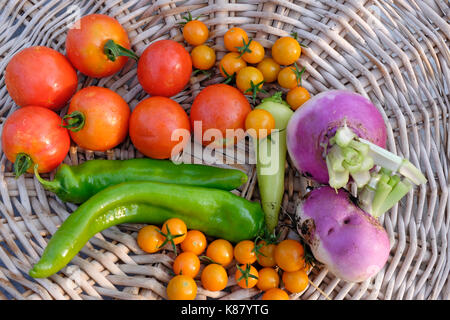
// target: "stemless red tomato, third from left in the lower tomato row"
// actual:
[[152, 124]]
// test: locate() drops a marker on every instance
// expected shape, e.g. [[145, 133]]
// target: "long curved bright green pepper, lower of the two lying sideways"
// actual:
[[215, 212]]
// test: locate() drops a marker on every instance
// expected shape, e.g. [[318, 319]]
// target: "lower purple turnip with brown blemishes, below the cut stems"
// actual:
[[350, 242]]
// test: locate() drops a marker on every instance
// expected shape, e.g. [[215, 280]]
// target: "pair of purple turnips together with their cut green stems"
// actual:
[[338, 136]]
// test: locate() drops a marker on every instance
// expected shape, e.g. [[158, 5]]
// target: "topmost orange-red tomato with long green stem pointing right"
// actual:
[[86, 42]]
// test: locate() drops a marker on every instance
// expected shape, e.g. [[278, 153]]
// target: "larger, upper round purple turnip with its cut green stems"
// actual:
[[338, 135]]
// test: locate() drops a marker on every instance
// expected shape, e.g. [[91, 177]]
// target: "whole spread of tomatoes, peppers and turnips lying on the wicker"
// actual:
[[335, 138]]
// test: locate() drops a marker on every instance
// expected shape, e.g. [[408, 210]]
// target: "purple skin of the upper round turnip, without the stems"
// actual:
[[316, 122]]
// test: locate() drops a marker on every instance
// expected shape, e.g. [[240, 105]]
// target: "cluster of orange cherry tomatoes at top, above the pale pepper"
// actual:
[[246, 62]]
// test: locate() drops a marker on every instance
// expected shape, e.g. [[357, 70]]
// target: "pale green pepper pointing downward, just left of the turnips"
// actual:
[[271, 158]]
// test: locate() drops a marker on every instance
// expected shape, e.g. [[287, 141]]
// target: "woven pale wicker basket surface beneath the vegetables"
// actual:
[[395, 52]]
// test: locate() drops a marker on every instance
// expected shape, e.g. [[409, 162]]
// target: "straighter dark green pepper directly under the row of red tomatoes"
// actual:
[[78, 183]]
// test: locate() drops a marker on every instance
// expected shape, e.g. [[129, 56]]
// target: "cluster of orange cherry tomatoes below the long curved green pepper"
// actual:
[[274, 268]]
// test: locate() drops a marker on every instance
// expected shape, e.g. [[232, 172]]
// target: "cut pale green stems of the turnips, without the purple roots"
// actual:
[[352, 156]]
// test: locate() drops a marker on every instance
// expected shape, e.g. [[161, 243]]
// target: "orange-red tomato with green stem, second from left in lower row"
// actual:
[[105, 114]]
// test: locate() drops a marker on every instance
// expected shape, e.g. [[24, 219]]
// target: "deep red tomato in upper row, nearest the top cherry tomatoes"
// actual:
[[164, 68]]
